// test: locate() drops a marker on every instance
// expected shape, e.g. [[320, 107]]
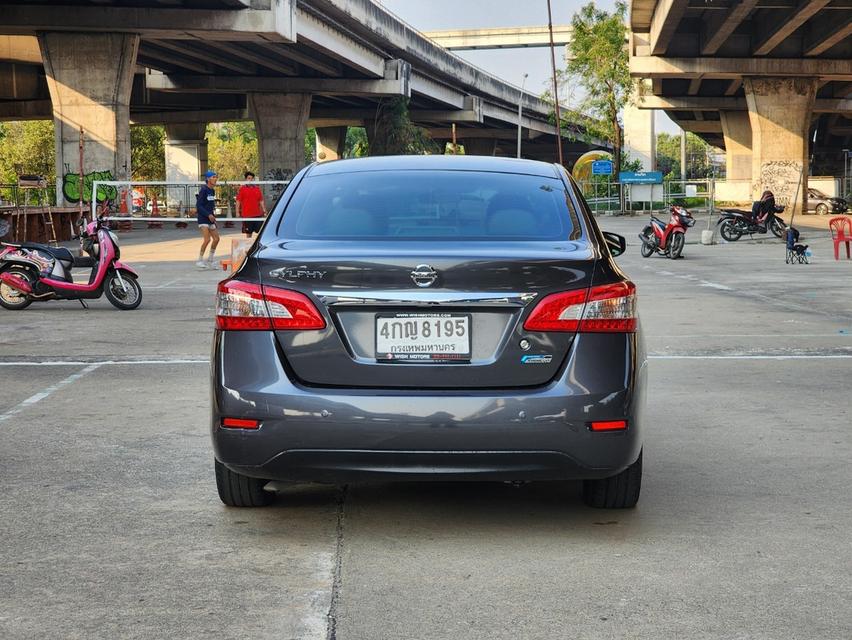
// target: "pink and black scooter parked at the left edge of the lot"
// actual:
[[31, 271]]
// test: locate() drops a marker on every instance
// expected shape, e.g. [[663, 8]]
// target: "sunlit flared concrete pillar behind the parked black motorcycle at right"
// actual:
[[780, 112]]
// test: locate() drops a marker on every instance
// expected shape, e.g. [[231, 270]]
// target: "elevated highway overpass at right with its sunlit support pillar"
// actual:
[[768, 80]]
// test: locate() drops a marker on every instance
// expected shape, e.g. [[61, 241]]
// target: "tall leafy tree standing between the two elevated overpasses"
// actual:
[[598, 67]]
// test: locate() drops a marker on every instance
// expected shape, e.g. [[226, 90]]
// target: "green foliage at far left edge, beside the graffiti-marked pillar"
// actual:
[[27, 147]]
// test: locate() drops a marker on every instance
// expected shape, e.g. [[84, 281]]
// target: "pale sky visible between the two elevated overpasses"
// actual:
[[507, 64]]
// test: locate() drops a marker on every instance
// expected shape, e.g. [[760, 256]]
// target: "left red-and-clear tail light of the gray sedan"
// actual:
[[245, 306]]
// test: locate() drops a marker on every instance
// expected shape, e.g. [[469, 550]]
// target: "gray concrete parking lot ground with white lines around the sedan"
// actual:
[[111, 527]]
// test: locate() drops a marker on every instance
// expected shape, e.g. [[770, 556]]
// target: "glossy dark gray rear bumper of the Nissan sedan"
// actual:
[[334, 435]]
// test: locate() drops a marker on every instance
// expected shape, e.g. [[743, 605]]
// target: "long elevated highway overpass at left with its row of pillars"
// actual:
[[286, 64]]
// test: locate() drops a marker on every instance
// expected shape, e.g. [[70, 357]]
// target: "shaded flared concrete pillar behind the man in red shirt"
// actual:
[[281, 121]]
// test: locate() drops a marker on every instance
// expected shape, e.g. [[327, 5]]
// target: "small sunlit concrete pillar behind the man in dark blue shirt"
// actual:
[[186, 160]]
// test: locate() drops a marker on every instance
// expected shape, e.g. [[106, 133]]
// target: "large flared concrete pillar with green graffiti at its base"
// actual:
[[90, 77]]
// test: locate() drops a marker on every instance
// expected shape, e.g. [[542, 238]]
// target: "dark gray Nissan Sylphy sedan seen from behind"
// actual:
[[429, 318]]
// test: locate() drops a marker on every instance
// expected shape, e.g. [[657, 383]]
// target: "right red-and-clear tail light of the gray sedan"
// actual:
[[608, 308]]
